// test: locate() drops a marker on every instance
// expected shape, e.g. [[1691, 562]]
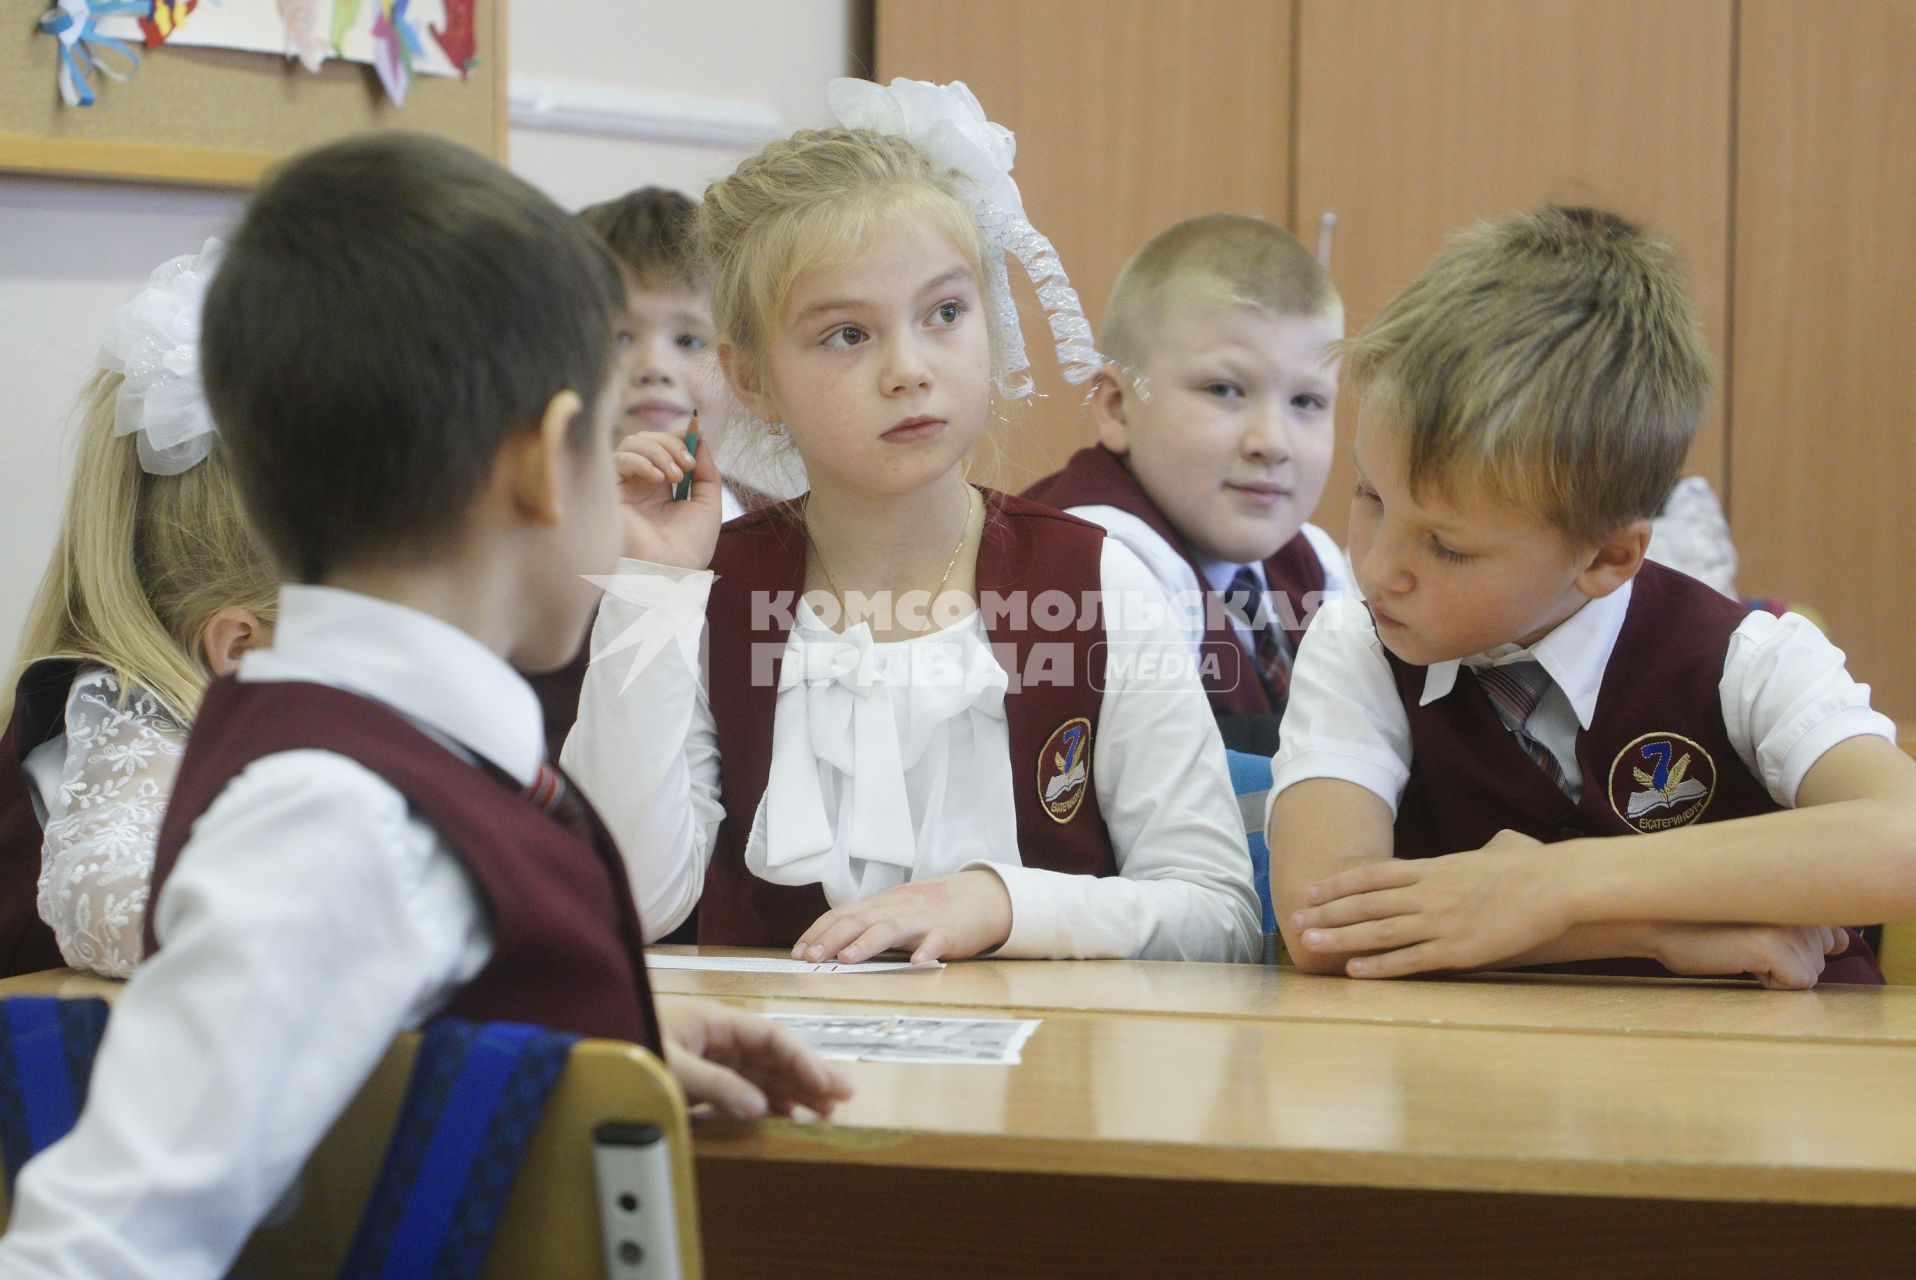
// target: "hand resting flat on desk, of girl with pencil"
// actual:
[[942, 919]]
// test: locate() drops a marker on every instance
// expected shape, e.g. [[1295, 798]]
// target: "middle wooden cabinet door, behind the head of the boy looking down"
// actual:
[[1417, 120]]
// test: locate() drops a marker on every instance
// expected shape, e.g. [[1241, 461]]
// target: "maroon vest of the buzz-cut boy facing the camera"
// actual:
[[1099, 478]]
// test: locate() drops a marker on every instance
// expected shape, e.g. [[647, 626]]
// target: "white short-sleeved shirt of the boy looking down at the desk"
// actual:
[[1787, 698]]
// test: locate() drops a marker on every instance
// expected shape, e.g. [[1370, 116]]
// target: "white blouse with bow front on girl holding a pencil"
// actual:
[[892, 762]]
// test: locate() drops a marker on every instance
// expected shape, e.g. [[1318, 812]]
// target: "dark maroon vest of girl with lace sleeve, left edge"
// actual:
[[39, 716]]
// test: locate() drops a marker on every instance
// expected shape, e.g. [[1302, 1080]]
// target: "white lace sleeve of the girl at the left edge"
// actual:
[[103, 825]]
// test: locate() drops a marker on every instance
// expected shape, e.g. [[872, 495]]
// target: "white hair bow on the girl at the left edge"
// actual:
[[156, 346]]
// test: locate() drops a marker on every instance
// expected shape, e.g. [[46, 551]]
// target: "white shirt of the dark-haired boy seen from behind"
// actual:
[[309, 921]]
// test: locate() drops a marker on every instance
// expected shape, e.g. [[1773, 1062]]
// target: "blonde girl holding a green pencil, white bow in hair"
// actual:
[[926, 716]]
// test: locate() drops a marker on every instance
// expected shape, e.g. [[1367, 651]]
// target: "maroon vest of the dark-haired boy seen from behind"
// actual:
[[566, 940]]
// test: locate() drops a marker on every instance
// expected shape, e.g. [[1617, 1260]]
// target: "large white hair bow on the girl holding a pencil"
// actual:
[[947, 124]]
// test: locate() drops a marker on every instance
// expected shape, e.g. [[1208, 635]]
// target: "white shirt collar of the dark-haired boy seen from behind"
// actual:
[[426, 670]]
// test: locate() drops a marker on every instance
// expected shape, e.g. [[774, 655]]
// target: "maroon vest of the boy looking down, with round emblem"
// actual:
[[1656, 754]]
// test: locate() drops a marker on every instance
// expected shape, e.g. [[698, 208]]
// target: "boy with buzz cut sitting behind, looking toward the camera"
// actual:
[[1216, 423]]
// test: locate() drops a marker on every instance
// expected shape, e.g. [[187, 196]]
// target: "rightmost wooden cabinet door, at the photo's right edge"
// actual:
[[1825, 451]]
